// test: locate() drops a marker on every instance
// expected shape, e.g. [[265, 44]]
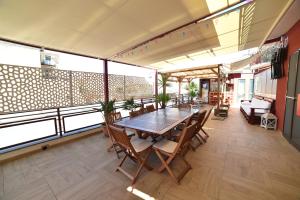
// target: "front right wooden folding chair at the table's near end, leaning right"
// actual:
[[172, 149]]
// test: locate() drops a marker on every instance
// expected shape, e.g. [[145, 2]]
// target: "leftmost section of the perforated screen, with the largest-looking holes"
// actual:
[[26, 88]]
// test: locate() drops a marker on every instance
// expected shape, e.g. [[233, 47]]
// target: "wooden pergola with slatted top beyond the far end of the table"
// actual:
[[187, 75]]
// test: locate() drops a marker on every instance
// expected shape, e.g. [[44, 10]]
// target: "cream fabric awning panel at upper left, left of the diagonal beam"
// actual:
[[93, 27]]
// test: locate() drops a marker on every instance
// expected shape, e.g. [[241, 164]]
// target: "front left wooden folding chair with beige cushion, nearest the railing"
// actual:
[[137, 150]]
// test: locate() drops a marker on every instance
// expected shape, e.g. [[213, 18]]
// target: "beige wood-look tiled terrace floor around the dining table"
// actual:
[[239, 161]]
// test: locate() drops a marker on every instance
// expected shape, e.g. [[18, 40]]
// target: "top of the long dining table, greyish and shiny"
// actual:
[[157, 122]]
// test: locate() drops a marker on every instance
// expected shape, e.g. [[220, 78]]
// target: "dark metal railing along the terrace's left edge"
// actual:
[[63, 120]]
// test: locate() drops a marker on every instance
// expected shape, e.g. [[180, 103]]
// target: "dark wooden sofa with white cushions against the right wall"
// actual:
[[257, 106]]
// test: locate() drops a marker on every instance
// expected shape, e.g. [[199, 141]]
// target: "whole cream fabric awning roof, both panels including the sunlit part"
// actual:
[[105, 28]]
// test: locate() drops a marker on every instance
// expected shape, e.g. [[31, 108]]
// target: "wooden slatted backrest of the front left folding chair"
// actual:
[[119, 135]]
